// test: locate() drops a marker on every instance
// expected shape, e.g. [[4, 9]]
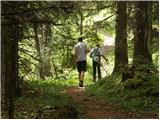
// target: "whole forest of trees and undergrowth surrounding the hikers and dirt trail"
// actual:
[[37, 64]]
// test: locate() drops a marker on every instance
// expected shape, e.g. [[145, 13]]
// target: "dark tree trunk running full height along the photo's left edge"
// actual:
[[10, 36]]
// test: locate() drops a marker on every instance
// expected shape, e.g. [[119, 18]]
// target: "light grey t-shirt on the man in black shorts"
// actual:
[[80, 51]]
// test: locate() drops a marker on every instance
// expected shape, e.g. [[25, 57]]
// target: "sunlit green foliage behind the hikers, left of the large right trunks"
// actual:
[[57, 40]]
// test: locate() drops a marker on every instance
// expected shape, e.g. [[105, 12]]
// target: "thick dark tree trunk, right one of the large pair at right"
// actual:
[[141, 54]]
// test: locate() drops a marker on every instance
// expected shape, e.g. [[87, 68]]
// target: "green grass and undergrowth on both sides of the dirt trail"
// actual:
[[135, 94]]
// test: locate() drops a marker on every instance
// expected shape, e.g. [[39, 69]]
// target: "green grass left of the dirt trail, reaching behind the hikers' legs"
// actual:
[[39, 96]]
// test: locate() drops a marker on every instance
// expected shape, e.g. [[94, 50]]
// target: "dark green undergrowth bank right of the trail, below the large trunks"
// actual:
[[139, 94]]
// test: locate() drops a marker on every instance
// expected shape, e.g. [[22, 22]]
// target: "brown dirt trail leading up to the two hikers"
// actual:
[[96, 109]]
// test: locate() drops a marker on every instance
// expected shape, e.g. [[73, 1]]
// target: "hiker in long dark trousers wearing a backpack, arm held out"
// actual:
[[96, 55]]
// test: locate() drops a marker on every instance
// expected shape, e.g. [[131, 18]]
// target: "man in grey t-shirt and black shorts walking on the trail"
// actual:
[[80, 55]]
